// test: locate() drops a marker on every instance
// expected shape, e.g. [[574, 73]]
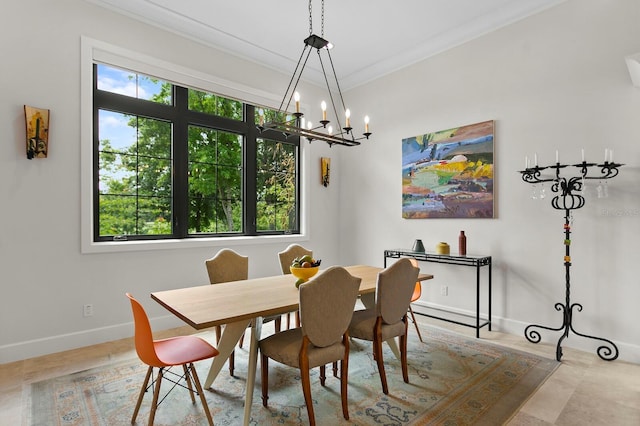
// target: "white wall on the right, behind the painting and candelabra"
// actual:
[[557, 80]]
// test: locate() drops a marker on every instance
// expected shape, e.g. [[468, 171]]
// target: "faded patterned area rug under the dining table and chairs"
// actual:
[[454, 380]]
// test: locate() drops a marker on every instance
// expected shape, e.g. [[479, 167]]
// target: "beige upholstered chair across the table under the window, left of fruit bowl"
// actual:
[[227, 265]]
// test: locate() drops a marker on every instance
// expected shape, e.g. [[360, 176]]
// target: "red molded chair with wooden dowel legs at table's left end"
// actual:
[[164, 354]]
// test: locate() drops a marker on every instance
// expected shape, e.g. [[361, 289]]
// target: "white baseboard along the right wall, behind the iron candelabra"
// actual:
[[627, 352]]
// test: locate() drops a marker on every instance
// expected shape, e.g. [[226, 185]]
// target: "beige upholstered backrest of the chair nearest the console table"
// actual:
[[394, 290]]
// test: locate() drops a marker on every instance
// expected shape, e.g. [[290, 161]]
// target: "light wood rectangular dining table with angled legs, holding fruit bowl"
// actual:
[[240, 304]]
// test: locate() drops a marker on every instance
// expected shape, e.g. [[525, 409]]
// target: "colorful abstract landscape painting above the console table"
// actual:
[[449, 173]]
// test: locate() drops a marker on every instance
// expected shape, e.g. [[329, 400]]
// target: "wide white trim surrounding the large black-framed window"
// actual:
[[98, 51]]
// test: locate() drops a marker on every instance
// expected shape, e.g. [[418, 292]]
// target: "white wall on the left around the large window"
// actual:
[[46, 278]]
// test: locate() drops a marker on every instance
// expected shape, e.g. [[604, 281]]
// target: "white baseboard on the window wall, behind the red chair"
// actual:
[[63, 342]]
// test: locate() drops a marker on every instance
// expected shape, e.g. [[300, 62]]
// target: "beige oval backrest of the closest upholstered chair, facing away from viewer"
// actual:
[[326, 305]]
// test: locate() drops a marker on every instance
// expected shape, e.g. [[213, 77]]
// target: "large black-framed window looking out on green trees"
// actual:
[[171, 161]]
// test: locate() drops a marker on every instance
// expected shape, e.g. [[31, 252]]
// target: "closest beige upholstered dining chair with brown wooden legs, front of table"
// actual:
[[326, 306]]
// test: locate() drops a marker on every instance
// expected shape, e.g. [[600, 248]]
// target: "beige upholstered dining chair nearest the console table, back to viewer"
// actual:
[[388, 319]]
